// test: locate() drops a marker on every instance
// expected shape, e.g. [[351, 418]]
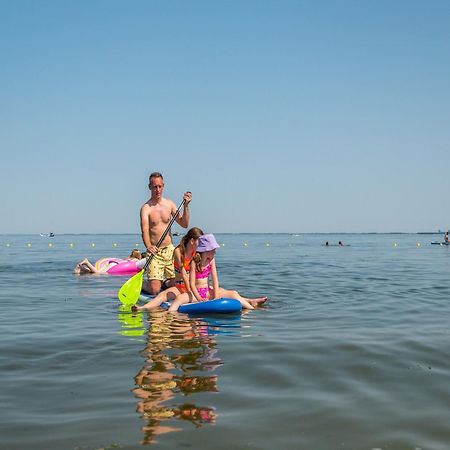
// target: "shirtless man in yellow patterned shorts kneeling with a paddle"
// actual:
[[156, 214]]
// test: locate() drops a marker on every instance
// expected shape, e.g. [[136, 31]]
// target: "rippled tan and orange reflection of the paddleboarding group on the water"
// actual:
[[180, 354]]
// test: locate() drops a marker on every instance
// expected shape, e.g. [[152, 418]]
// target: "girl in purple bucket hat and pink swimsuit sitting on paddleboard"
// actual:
[[202, 271]]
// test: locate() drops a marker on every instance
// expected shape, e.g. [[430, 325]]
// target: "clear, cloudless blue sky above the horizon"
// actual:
[[279, 116]]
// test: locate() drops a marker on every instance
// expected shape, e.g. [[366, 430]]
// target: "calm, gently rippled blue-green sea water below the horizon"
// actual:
[[351, 352]]
